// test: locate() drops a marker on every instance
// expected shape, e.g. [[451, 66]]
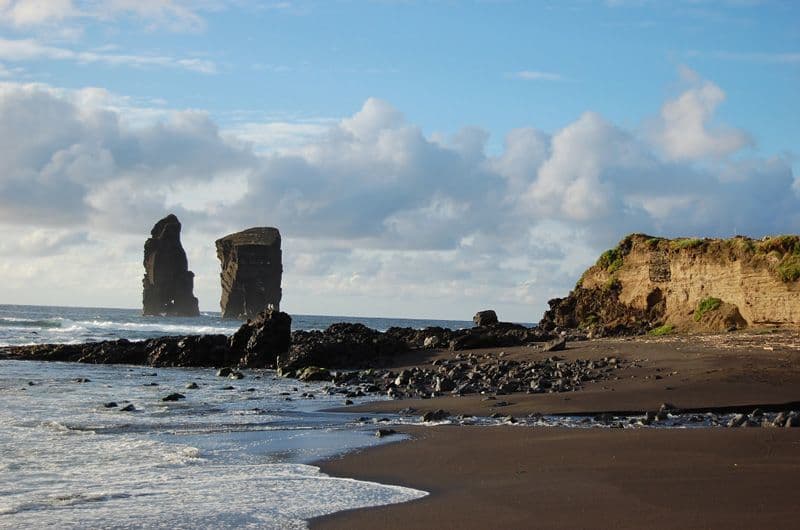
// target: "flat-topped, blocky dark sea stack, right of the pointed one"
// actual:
[[251, 272]]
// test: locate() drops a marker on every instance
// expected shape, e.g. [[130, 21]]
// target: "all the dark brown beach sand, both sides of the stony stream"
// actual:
[[518, 477]]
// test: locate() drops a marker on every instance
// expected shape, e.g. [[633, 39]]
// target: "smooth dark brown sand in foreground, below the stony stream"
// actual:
[[551, 477]]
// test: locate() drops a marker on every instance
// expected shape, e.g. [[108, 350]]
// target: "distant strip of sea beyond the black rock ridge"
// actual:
[[23, 324]]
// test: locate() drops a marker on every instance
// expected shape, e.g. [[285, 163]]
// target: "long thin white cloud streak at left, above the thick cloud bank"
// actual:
[[21, 50]]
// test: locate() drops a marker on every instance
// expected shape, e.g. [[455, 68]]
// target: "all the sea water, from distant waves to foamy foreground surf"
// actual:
[[232, 454]]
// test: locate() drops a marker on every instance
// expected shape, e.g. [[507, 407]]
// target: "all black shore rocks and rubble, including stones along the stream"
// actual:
[[402, 363]]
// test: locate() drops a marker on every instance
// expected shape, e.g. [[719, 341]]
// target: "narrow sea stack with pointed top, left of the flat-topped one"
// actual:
[[167, 282]]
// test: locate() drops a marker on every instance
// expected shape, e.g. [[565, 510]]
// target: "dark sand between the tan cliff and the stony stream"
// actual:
[[712, 371]]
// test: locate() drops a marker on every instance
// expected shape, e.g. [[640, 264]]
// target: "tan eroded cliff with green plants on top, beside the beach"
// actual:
[[686, 285]]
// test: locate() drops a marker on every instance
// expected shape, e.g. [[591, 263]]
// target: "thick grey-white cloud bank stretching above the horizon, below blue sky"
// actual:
[[377, 217]]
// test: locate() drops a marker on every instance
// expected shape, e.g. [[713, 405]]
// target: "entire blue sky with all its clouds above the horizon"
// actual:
[[421, 158]]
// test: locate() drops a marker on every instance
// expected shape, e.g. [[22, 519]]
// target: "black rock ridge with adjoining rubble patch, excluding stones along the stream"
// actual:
[[354, 356]]
